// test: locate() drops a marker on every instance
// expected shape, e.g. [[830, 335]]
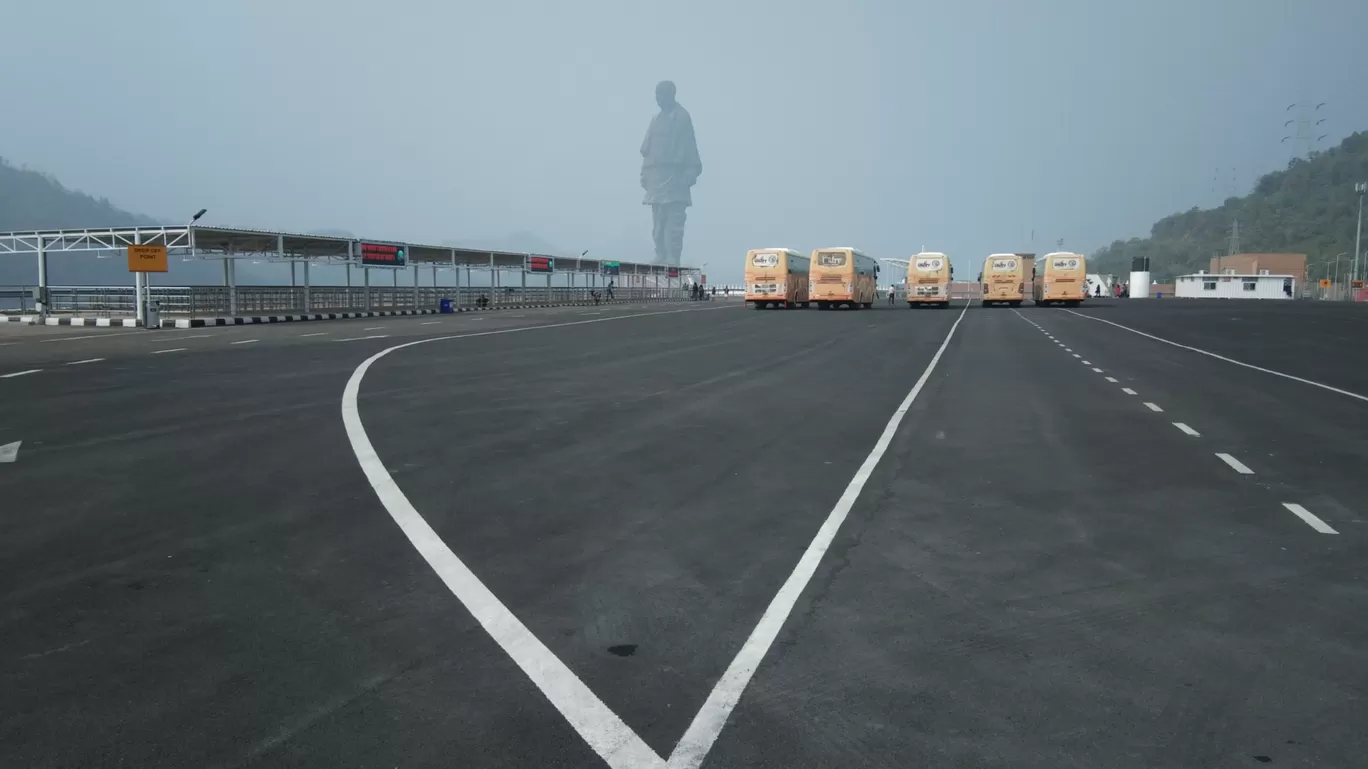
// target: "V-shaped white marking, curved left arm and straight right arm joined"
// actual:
[[600, 727]]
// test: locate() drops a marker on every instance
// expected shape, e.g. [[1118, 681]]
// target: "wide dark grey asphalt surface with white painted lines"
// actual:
[[692, 536]]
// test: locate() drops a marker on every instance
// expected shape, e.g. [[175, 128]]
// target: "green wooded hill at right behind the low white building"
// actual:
[[1308, 209]]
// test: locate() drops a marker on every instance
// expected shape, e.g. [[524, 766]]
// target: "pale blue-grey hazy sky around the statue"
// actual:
[[961, 127]]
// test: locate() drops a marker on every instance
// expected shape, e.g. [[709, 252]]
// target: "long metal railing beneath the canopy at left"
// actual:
[[209, 302]]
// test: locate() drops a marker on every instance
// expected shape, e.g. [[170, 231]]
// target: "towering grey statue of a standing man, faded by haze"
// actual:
[[671, 168]]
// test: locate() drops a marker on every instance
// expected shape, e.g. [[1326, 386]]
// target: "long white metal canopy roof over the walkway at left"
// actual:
[[233, 243]]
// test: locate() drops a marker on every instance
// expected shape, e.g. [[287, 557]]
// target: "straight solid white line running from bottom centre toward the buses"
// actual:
[[705, 729]]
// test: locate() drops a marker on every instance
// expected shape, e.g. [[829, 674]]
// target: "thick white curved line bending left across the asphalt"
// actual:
[[600, 727]]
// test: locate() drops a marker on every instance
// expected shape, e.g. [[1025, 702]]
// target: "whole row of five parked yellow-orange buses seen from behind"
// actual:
[[843, 277]]
